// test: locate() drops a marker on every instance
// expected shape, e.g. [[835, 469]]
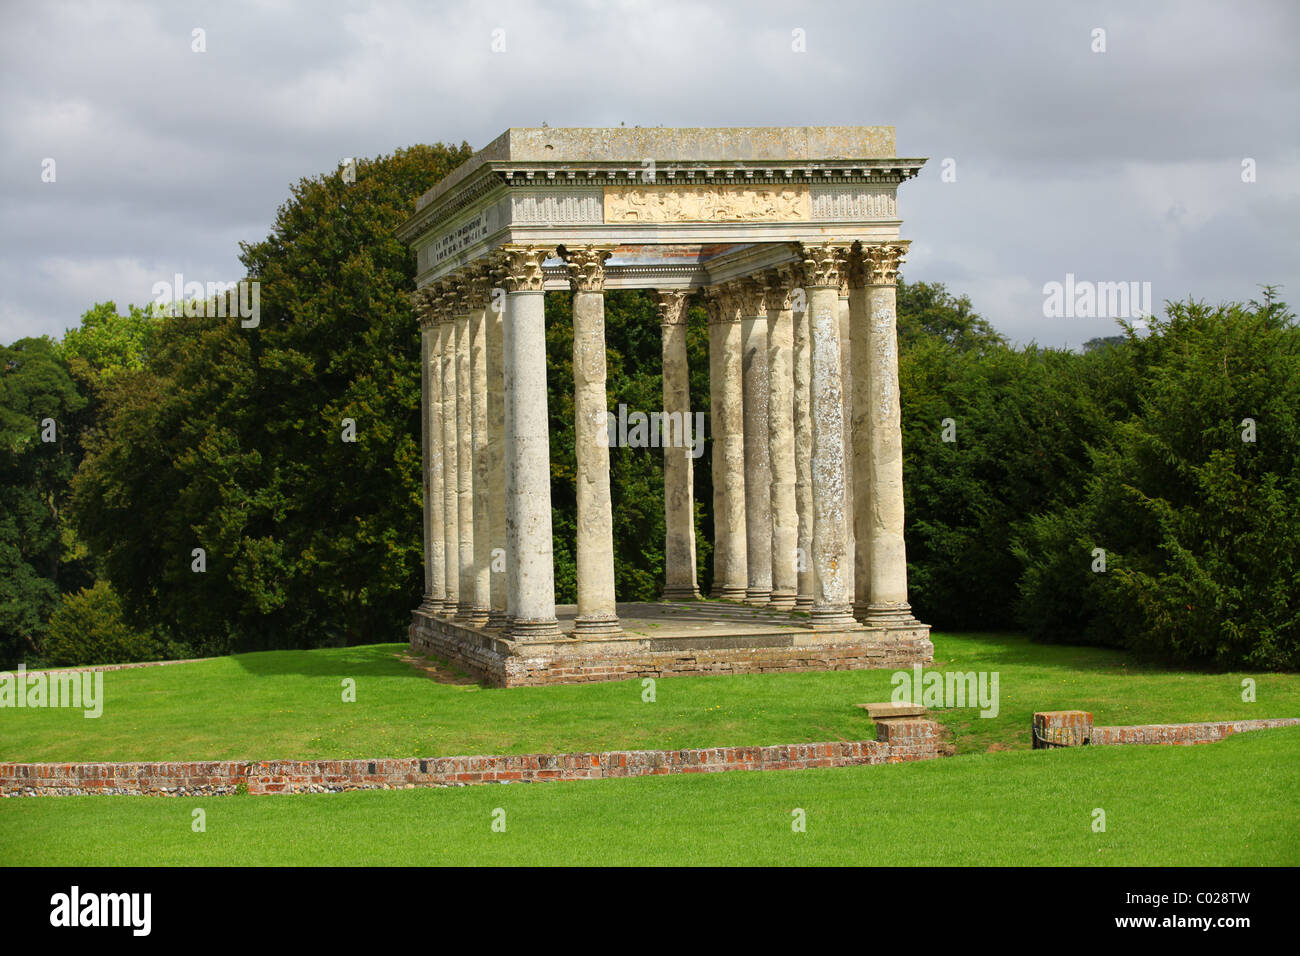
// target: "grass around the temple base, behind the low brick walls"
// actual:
[[289, 706]]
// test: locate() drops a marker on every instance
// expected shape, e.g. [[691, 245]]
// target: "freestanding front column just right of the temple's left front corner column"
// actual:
[[597, 612]]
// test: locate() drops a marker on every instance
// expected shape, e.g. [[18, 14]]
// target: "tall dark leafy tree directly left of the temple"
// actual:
[[232, 440]]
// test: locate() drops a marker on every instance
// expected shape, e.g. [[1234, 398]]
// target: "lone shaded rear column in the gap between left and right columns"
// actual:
[[679, 495]]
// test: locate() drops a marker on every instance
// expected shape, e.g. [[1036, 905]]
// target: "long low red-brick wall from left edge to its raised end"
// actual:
[[898, 741]]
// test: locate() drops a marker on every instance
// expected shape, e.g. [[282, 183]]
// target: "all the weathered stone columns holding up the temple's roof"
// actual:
[[801, 419]]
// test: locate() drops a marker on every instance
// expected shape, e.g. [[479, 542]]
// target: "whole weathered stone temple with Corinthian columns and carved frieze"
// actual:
[[791, 236]]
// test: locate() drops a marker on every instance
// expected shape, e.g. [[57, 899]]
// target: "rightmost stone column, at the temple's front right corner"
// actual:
[[882, 513]]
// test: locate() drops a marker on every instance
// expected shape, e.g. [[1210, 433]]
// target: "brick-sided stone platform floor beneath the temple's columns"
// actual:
[[670, 639]]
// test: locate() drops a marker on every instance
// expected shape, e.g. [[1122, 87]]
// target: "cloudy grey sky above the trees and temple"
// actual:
[[1116, 166]]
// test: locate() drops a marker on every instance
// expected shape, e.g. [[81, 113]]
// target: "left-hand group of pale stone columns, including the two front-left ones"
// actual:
[[486, 438]]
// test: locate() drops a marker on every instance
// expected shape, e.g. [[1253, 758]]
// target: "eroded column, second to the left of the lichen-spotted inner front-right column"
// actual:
[[781, 436]]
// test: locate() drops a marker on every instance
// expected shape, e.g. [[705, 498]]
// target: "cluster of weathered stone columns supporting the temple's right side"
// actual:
[[808, 443]]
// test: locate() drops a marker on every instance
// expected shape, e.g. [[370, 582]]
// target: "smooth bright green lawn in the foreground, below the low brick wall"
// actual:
[[1232, 803]]
